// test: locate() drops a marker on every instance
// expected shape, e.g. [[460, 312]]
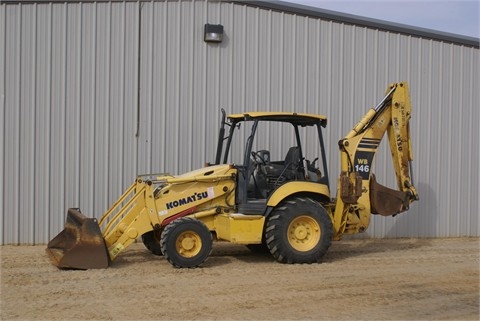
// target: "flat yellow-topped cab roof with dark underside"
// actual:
[[294, 118]]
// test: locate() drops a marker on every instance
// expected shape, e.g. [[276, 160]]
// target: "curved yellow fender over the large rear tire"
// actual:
[[294, 187]]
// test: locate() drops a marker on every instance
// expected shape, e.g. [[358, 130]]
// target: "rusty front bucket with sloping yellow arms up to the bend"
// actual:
[[86, 243]]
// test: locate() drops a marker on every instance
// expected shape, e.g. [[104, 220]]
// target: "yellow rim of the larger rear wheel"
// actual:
[[303, 233]]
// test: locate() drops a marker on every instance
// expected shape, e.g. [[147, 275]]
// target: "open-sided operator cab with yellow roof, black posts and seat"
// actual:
[[270, 149]]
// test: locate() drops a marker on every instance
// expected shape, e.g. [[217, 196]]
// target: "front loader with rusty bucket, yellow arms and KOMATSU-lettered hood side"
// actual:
[[149, 204]]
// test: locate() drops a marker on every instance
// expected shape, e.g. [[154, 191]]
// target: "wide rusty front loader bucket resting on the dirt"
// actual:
[[80, 245]]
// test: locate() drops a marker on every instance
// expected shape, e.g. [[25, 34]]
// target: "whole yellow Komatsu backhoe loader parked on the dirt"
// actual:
[[256, 196]]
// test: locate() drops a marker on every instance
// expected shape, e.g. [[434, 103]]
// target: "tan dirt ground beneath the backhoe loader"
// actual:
[[392, 279]]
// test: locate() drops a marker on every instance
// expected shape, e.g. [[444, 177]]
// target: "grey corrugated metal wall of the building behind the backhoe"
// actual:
[[92, 94]]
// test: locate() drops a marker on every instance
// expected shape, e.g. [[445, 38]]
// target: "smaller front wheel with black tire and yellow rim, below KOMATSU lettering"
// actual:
[[186, 242]]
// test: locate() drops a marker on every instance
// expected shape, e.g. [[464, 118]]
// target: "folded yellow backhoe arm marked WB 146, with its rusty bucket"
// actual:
[[358, 193]]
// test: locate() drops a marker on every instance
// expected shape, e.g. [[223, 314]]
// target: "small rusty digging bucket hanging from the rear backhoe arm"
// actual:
[[386, 201]]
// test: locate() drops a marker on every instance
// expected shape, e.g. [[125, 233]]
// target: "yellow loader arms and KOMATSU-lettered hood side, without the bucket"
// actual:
[[140, 209]]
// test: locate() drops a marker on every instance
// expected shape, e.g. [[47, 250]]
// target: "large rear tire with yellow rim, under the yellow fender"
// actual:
[[299, 230]]
